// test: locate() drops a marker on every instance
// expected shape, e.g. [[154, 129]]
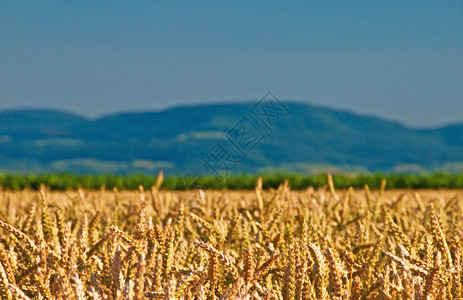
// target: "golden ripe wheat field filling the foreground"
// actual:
[[204, 244]]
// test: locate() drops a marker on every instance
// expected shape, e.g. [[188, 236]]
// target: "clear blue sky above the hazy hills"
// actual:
[[401, 60]]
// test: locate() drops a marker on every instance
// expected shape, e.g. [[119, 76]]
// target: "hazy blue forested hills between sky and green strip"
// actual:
[[308, 139]]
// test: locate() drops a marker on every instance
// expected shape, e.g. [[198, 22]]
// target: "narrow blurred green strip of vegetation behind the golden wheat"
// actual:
[[66, 181]]
